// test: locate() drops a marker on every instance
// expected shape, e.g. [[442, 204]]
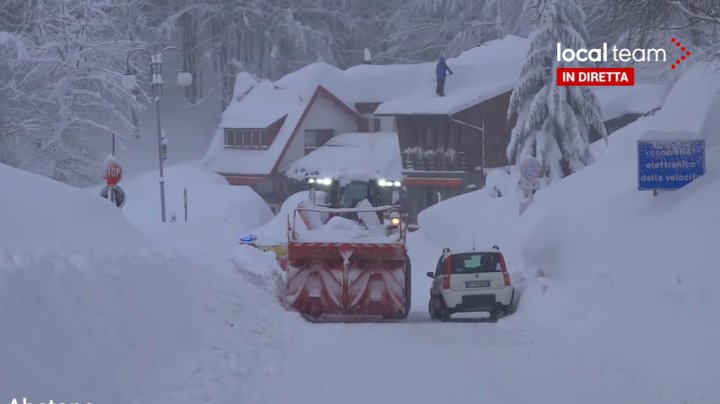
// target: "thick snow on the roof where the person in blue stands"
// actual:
[[480, 74]]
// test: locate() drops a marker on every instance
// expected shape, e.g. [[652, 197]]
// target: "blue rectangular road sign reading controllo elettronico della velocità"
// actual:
[[669, 164]]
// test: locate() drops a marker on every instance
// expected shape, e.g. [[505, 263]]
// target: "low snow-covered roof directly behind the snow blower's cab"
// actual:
[[356, 156]]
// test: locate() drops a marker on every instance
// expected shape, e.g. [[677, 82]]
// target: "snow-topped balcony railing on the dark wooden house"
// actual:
[[435, 160]]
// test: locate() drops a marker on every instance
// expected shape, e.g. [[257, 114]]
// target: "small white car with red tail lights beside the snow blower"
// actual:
[[471, 281]]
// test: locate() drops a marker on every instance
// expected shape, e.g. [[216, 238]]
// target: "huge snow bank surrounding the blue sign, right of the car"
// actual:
[[609, 266]]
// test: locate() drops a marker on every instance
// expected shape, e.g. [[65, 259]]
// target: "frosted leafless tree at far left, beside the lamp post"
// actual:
[[68, 90]]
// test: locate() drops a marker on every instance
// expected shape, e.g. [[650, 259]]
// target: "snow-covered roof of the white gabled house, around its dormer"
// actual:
[[265, 102]]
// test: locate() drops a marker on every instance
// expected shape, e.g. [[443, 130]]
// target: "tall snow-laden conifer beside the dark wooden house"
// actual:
[[554, 123]]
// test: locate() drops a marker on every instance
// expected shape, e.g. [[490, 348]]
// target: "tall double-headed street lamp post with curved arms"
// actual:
[[184, 79]]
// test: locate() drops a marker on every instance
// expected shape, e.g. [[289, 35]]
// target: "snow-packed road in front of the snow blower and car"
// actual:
[[415, 361]]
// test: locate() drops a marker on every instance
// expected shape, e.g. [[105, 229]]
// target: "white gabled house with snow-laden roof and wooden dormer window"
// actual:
[[270, 125]]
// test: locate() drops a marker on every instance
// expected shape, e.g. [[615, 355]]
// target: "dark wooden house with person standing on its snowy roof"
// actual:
[[448, 143]]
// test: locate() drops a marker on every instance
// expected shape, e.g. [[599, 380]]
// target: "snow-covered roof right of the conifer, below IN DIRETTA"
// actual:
[[616, 101]]
